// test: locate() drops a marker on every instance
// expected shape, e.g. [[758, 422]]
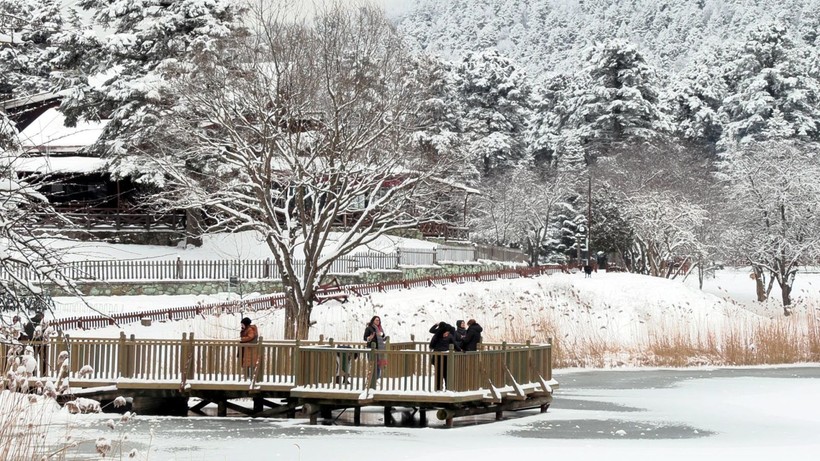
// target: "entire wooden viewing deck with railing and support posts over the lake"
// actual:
[[313, 378]]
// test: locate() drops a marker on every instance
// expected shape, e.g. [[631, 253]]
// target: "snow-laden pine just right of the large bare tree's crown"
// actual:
[[495, 98]]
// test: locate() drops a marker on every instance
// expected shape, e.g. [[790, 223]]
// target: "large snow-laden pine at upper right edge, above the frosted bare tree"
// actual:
[[772, 94]]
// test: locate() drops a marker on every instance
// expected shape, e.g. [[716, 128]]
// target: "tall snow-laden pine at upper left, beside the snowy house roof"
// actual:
[[121, 75]]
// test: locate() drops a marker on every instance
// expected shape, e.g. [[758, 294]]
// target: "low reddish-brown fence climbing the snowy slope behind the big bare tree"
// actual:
[[278, 300]]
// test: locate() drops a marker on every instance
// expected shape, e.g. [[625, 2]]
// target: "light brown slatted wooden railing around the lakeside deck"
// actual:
[[188, 362]]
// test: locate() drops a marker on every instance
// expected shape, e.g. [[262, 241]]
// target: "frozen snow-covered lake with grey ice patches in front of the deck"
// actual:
[[753, 413]]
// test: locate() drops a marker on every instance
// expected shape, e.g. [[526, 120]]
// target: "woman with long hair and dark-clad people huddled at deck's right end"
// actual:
[[464, 337]]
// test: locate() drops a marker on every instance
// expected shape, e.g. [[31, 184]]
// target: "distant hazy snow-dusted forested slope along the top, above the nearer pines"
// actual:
[[548, 36]]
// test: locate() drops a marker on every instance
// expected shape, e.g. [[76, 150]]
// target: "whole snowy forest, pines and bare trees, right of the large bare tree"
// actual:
[[670, 133]]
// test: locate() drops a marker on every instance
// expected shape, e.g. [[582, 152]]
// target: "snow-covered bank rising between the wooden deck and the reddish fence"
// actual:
[[612, 316]]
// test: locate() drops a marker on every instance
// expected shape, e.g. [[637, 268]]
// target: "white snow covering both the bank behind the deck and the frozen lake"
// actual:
[[753, 418]]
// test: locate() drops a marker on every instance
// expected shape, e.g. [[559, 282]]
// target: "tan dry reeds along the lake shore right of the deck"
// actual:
[[781, 340]]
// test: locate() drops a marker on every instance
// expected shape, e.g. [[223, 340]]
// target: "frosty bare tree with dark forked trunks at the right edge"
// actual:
[[775, 210]]
